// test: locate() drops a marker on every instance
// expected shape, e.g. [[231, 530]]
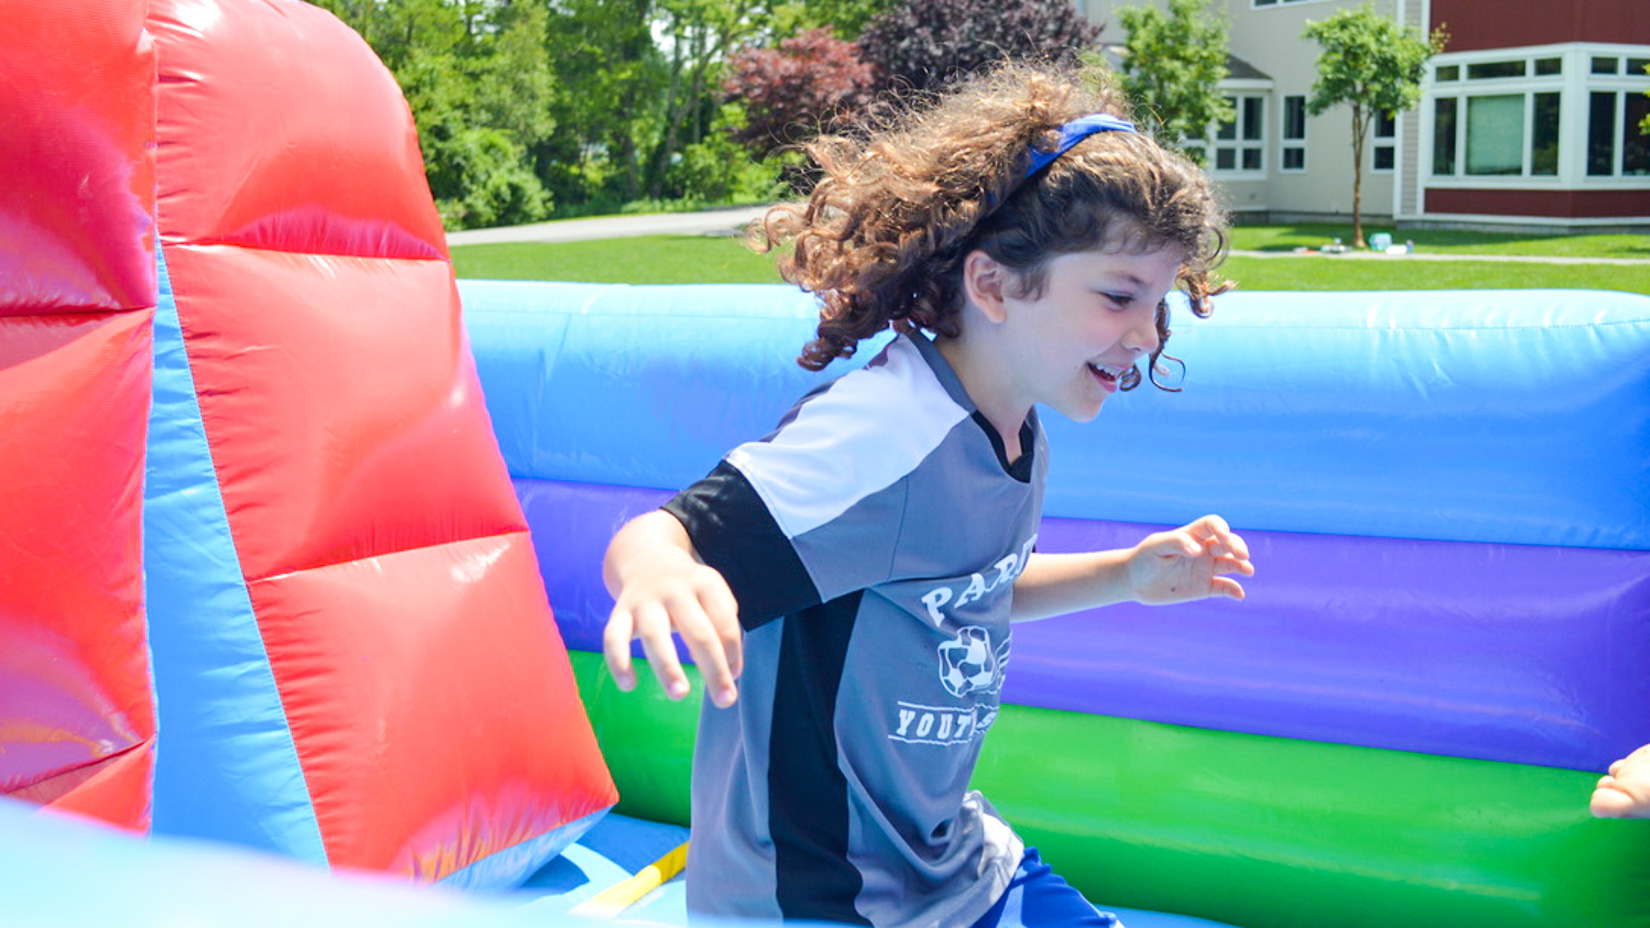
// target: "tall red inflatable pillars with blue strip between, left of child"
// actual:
[[266, 580]]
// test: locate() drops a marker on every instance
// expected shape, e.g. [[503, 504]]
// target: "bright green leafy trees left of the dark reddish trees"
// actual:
[[588, 105]]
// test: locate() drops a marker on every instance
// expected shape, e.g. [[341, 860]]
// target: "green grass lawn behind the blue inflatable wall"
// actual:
[[702, 260]]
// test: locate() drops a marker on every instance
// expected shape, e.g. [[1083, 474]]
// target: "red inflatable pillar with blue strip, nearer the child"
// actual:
[[356, 660]]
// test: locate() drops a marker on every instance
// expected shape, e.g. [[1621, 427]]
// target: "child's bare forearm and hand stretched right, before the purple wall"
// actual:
[[1167, 567]]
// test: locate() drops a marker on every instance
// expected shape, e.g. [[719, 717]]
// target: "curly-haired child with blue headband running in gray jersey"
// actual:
[[860, 566]]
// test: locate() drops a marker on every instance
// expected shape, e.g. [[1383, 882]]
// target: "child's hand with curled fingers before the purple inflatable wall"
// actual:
[[1190, 564]]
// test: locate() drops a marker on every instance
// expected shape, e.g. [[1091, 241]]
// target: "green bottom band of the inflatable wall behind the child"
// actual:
[[1265, 833]]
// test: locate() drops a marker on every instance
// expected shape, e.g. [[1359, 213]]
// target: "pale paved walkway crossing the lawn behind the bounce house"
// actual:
[[735, 219]]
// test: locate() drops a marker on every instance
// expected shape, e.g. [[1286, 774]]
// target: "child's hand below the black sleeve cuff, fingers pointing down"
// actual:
[[659, 585]]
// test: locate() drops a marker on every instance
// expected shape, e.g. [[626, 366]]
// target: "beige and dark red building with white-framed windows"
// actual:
[[1529, 120]]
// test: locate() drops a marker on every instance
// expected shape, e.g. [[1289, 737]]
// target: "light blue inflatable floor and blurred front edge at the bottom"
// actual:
[[64, 873]]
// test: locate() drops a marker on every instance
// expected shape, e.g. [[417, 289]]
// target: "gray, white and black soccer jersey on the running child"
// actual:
[[872, 544]]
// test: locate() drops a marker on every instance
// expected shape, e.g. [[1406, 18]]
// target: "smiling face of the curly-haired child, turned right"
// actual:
[[1095, 318]]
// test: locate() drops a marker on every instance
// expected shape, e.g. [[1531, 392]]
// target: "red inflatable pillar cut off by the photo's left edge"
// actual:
[[77, 305]]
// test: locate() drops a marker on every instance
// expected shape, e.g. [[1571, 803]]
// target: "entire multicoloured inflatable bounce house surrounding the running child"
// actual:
[[301, 549]]
